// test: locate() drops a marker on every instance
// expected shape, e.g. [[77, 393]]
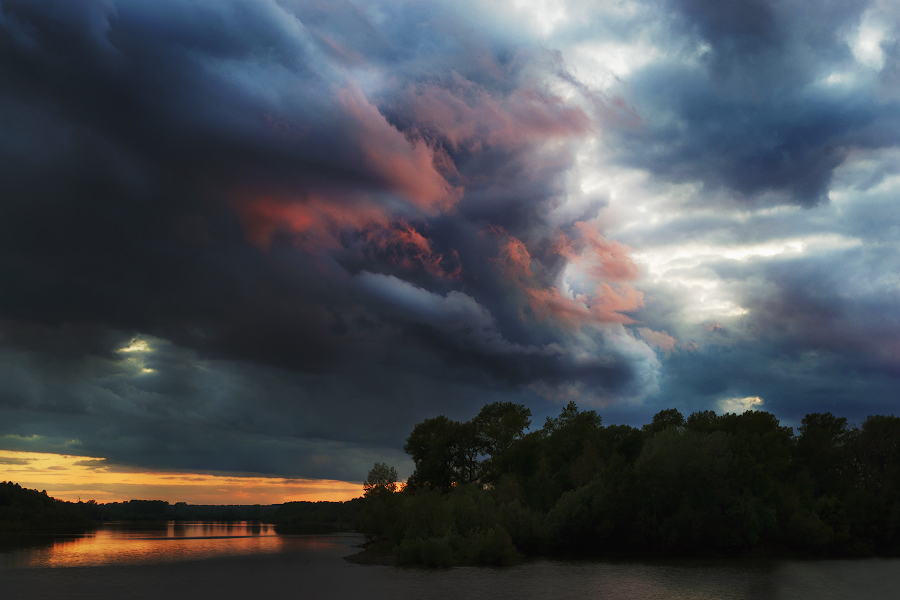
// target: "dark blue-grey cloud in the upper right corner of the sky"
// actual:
[[751, 115]]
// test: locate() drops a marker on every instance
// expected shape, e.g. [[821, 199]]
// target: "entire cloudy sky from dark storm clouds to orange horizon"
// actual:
[[257, 241]]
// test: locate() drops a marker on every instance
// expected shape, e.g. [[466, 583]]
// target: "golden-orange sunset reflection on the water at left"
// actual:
[[133, 544]]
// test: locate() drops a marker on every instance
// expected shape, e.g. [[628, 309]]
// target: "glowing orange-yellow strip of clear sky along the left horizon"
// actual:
[[68, 477]]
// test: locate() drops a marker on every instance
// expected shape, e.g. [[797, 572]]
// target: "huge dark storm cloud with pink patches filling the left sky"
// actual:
[[209, 176]]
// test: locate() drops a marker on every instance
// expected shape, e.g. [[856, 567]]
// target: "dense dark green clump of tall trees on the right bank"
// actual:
[[485, 491]]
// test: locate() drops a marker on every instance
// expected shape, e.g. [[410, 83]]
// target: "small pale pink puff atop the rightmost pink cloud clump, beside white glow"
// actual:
[[598, 257]]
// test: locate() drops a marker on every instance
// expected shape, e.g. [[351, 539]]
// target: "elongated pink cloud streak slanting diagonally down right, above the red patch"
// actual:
[[408, 167]]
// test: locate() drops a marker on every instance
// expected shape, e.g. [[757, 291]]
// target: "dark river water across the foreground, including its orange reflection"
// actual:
[[215, 560]]
